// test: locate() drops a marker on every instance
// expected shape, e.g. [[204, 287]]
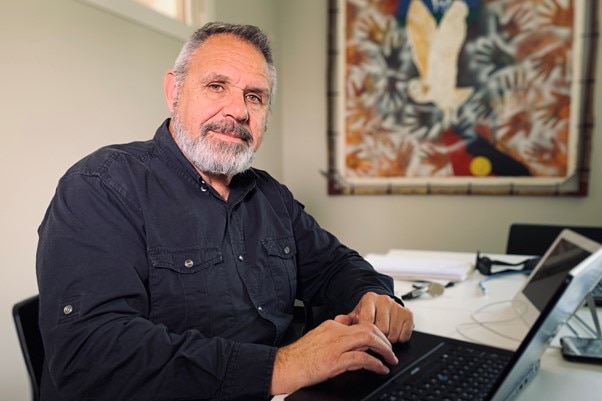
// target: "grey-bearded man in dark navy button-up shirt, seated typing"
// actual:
[[168, 269]]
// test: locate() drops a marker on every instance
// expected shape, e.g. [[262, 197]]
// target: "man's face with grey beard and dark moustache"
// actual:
[[220, 112]]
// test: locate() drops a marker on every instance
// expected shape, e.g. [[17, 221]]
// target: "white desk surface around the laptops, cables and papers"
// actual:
[[449, 315]]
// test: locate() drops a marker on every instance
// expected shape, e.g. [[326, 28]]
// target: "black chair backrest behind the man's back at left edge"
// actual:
[[25, 314]]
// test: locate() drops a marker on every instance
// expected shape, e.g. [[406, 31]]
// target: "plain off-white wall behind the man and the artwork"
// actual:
[[75, 78]]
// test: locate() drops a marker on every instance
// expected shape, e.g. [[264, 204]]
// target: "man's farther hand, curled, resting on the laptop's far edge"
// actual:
[[394, 320]]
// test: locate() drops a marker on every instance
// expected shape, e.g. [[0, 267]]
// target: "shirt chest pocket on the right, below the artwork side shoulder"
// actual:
[[282, 263]]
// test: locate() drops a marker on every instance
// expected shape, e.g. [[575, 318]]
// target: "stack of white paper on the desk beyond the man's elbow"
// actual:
[[404, 268]]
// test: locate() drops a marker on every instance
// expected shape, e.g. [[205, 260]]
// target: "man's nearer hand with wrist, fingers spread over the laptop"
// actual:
[[329, 350]]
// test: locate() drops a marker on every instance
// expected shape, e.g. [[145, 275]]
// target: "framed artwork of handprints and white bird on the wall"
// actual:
[[460, 96]]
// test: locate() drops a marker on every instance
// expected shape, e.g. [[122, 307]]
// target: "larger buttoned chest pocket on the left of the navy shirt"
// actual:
[[183, 282]]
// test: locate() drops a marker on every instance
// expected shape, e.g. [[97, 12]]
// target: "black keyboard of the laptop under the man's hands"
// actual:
[[458, 373]]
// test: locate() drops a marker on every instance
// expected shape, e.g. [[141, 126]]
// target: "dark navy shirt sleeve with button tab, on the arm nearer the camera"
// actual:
[[94, 311]]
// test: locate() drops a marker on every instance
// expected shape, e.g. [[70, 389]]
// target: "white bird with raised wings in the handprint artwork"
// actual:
[[435, 50]]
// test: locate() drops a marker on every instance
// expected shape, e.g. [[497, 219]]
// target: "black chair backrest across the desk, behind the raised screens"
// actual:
[[535, 239]]
